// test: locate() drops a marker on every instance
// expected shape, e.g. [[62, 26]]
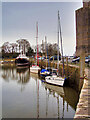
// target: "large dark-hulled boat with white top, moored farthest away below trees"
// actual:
[[22, 60]]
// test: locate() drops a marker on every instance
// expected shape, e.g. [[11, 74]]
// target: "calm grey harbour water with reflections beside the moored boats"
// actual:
[[25, 95]]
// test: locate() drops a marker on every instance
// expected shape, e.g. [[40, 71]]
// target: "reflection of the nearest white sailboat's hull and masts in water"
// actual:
[[56, 92]]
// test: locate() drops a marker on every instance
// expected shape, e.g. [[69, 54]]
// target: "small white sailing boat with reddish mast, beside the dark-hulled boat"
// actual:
[[35, 68]]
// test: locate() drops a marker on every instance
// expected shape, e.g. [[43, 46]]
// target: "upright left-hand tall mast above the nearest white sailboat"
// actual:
[[58, 45]]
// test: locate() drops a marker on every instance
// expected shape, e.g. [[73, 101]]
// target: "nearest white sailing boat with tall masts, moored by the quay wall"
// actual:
[[55, 79]]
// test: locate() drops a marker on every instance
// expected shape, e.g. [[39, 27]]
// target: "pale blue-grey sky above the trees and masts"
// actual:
[[19, 21]]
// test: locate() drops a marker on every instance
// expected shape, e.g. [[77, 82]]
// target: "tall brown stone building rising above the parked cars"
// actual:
[[83, 29]]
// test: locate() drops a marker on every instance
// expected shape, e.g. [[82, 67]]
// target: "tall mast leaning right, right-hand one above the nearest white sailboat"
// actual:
[[61, 46]]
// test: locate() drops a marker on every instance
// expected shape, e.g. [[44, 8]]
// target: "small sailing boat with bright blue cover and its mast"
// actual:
[[47, 71]]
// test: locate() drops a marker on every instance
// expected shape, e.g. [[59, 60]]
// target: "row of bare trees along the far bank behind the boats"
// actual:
[[12, 50]]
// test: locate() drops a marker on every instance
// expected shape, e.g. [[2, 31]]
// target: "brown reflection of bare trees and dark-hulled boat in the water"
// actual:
[[21, 75]]
